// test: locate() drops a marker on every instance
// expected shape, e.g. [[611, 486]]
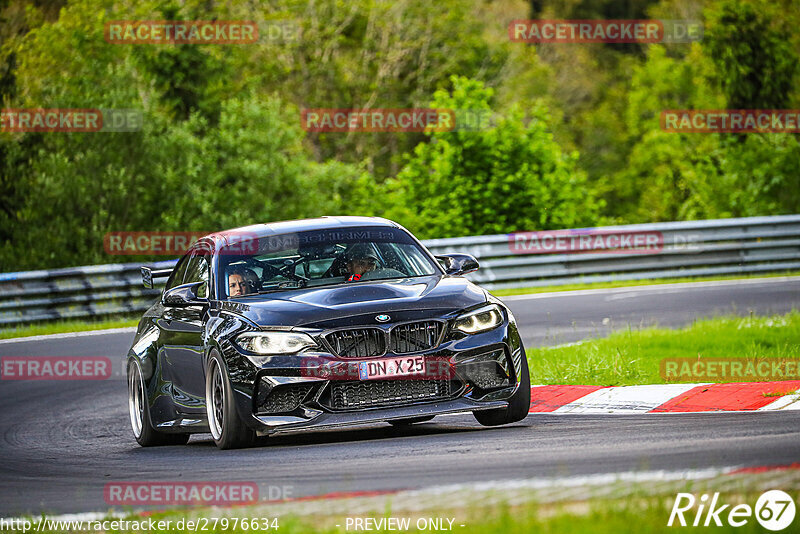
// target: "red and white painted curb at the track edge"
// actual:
[[667, 398]]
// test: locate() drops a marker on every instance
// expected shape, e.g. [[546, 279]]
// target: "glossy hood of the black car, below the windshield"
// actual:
[[328, 307]]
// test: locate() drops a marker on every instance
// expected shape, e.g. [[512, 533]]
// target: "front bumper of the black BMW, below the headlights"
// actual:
[[281, 395]]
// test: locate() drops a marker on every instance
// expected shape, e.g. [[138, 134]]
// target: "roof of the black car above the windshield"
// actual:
[[233, 235]]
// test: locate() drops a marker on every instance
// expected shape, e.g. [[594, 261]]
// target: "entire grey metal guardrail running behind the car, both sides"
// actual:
[[690, 248]]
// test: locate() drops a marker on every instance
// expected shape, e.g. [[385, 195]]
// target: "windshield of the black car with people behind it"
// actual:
[[320, 258]]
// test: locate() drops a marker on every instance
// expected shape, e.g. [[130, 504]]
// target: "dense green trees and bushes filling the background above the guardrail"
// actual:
[[577, 140]]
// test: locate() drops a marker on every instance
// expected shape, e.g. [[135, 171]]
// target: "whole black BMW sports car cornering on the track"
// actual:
[[318, 323]]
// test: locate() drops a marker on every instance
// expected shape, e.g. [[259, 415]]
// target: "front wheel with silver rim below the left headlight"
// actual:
[[227, 428]]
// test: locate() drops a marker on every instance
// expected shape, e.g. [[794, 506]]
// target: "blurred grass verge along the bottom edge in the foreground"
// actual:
[[613, 507]]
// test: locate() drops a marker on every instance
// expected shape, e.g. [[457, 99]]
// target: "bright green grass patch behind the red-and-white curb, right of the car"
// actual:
[[633, 356]]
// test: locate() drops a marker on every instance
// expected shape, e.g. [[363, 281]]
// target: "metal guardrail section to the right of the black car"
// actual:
[[688, 248]]
